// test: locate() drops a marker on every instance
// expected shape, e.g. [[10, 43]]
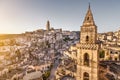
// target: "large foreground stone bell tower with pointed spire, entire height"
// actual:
[[87, 50]]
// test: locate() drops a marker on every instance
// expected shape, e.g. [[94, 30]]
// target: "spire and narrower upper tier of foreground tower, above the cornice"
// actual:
[[88, 29]]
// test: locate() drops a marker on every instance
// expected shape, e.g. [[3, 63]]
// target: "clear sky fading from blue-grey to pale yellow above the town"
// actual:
[[18, 16]]
